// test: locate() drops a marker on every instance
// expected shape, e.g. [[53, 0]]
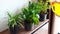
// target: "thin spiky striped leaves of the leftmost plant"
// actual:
[[14, 20]]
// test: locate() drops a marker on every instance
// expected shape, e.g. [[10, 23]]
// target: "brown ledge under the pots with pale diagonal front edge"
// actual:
[[22, 31]]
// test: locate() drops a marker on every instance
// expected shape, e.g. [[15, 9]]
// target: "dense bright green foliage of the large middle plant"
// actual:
[[30, 13]]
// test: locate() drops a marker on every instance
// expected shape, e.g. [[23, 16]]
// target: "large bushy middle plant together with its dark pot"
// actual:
[[30, 17]]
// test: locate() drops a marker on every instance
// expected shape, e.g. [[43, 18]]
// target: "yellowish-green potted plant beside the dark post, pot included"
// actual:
[[43, 12]]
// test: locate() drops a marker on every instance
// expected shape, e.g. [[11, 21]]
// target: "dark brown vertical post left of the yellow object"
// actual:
[[51, 21]]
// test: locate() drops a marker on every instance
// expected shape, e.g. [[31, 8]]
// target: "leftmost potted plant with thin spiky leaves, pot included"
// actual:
[[14, 23]]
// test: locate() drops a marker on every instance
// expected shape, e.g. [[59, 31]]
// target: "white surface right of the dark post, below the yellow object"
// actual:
[[56, 25]]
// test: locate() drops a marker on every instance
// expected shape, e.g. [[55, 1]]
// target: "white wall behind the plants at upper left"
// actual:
[[10, 6]]
